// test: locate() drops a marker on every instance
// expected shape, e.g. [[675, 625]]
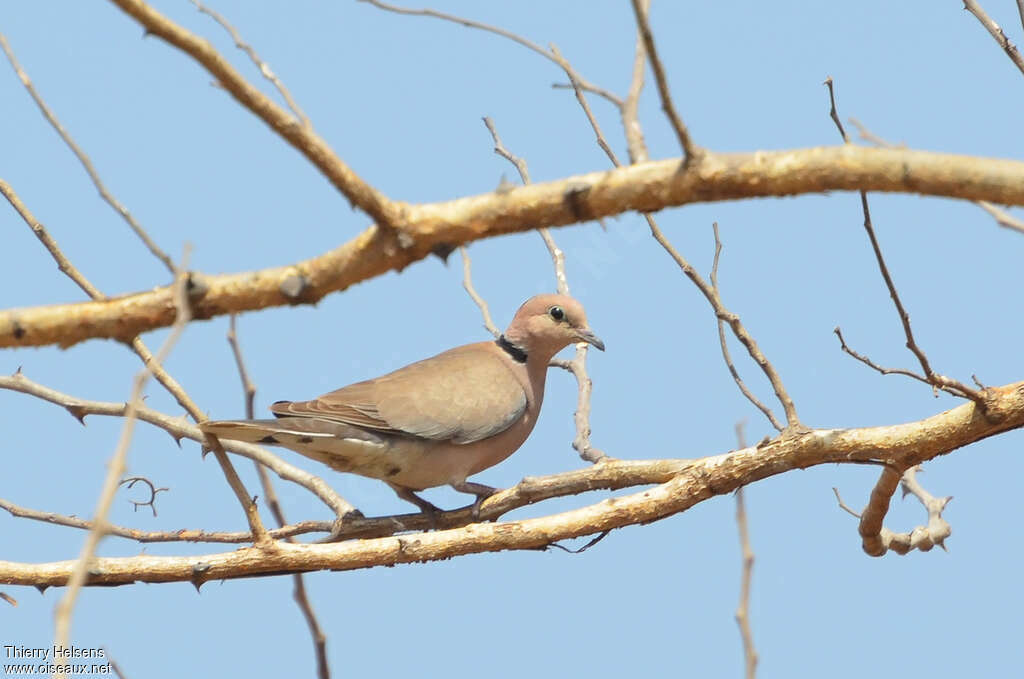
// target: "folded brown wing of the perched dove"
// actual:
[[463, 396]]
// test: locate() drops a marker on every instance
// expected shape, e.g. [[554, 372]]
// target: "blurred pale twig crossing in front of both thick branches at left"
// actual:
[[117, 466]]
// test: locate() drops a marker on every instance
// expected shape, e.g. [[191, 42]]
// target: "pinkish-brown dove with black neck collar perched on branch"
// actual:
[[435, 422]]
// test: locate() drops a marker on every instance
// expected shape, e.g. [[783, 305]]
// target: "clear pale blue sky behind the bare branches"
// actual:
[[401, 100]]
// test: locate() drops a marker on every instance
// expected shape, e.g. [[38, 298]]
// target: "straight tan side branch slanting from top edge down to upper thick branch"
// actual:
[[303, 139]]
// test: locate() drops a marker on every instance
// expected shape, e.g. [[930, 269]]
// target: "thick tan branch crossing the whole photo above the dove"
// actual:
[[648, 187]]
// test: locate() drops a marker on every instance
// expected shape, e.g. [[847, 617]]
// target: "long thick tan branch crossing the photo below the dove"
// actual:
[[904, 445]]
